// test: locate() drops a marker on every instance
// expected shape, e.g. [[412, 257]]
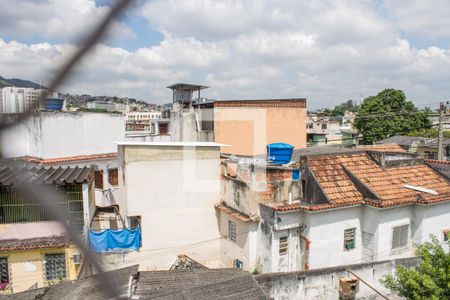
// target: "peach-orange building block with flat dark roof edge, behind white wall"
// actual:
[[247, 126]]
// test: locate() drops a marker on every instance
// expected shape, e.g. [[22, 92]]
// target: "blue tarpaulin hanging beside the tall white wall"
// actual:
[[115, 239]]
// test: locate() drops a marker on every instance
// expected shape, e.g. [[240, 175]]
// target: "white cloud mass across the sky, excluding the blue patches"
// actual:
[[327, 51]]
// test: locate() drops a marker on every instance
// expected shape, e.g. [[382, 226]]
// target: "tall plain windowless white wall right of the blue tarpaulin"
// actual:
[[172, 187]]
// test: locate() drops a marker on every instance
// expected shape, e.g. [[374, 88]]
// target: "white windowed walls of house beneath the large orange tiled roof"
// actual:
[[374, 232]]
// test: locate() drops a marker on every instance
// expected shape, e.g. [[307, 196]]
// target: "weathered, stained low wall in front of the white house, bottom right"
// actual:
[[324, 283]]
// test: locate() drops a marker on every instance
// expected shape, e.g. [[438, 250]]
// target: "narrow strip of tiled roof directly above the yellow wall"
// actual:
[[34, 243]]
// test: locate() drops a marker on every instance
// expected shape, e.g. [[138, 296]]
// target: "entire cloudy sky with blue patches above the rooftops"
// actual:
[[327, 51]]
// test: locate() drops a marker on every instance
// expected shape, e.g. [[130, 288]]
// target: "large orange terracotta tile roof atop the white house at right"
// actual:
[[387, 183]]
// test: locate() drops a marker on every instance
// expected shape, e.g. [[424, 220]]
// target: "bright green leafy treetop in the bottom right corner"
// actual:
[[429, 280]]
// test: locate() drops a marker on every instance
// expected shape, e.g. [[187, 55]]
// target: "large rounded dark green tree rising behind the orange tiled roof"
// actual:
[[387, 114]]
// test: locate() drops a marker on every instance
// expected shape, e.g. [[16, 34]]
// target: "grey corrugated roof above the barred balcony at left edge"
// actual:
[[12, 175]]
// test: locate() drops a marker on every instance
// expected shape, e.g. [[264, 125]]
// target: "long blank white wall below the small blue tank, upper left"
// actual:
[[61, 134]]
